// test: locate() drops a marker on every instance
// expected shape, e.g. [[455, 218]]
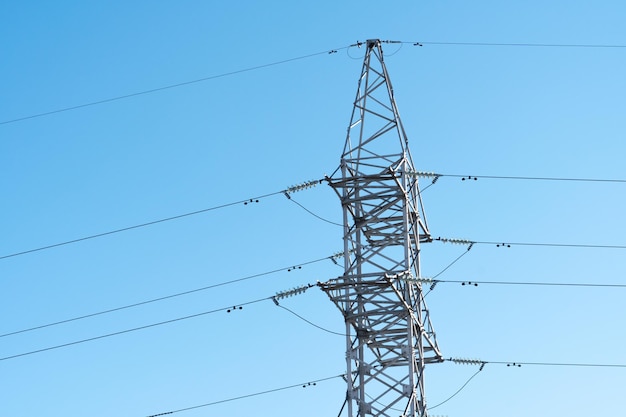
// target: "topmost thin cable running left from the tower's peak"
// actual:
[[170, 86]]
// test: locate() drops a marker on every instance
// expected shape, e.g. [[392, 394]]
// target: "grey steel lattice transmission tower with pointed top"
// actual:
[[390, 338]]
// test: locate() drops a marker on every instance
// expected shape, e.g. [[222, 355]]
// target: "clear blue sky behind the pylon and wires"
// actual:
[[485, 110]]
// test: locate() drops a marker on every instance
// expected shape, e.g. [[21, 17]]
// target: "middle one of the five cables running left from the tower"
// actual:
[[167, 297]]
